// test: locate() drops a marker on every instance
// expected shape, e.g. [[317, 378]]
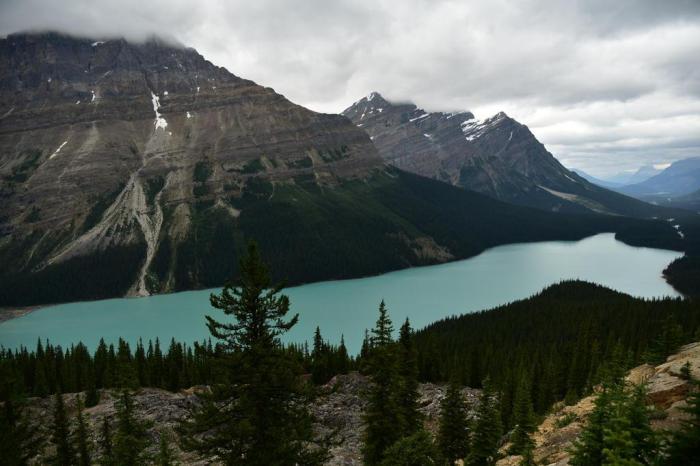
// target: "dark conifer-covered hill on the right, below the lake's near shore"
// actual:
[[561, 339]]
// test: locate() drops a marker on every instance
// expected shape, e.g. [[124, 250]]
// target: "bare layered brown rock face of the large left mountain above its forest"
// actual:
[[110, 145]]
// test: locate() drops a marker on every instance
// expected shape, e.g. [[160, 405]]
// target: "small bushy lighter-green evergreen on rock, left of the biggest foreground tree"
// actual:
[[130, 437]]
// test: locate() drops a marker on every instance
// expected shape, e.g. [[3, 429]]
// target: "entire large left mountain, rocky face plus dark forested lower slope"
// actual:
[[137, 168]]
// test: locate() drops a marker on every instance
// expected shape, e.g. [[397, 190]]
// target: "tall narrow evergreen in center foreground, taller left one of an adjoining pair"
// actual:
[[383, 414]]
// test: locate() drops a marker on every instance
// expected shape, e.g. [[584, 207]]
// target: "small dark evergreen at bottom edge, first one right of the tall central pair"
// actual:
[[453, 431]]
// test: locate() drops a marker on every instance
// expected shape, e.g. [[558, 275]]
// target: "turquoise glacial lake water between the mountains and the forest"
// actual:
[[424, 294]]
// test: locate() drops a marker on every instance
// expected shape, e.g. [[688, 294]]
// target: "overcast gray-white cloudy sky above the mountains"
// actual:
[[606, 85]]
